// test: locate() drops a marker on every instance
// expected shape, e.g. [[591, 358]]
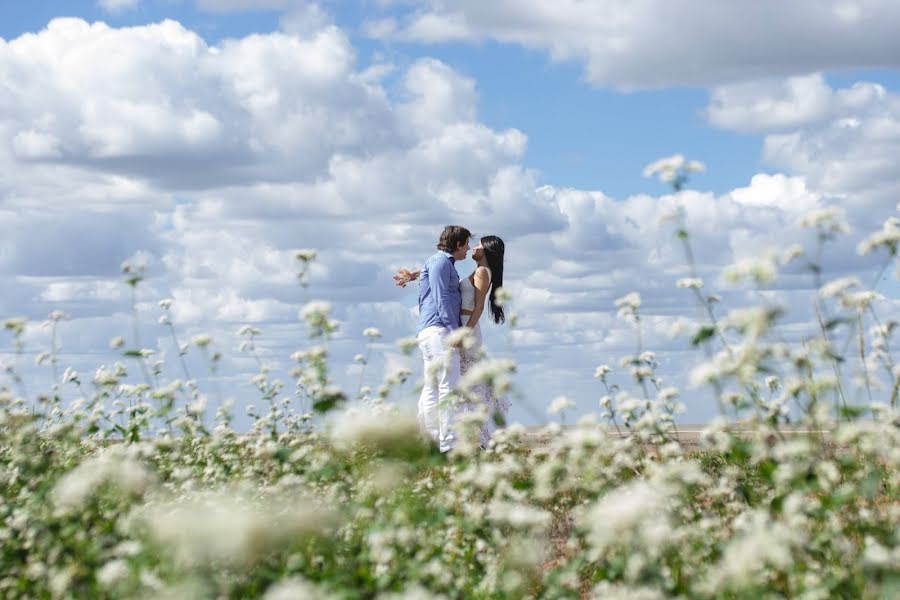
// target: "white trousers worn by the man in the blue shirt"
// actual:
[[436, 411]]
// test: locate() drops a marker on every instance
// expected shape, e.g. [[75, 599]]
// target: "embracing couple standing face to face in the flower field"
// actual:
[[447, 304]]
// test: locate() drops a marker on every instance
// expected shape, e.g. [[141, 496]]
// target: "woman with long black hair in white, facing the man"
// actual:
[[476, 290]]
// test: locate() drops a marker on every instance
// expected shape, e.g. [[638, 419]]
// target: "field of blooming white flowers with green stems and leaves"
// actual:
[[131, 492]]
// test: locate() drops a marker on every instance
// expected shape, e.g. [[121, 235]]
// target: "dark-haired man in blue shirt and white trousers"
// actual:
[[439, 304]]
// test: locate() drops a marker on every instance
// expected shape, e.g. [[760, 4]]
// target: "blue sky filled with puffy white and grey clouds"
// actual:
[[209, 140]]
